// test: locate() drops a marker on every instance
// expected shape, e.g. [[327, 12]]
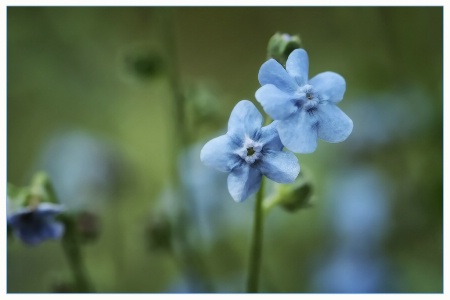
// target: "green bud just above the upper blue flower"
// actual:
[[281, 45]]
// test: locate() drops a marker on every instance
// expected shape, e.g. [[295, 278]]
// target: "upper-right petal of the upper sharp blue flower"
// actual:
[[329, 85]]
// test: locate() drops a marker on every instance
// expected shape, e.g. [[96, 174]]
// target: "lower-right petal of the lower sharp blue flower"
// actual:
[[279, 166]]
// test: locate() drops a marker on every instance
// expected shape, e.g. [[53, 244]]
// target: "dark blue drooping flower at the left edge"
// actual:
[[36, 224]]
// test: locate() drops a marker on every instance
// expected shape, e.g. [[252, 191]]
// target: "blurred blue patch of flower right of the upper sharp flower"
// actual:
[[396, 108]]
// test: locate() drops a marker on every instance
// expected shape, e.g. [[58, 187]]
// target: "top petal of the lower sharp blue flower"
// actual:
[[244, 119]]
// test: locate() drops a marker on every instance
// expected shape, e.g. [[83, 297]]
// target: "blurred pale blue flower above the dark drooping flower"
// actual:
[[86, 170]]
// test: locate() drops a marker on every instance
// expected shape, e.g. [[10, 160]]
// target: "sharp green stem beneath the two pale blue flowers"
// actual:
[[257, 241]]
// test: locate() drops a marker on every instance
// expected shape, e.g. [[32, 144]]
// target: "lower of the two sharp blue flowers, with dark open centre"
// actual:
[[248, 151]]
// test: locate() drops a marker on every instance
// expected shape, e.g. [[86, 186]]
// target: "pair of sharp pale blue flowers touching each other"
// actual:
[[304, 110]]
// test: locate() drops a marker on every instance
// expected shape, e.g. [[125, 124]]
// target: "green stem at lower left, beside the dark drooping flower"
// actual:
[[70, 244]]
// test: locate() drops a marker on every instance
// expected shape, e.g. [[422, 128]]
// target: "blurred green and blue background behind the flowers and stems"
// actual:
[[116, 102]]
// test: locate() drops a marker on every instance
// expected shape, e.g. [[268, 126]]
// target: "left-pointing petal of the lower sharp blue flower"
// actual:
[[219, 154]]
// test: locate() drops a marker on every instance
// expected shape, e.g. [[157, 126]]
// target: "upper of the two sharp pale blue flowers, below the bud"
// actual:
[[306, 109]]
